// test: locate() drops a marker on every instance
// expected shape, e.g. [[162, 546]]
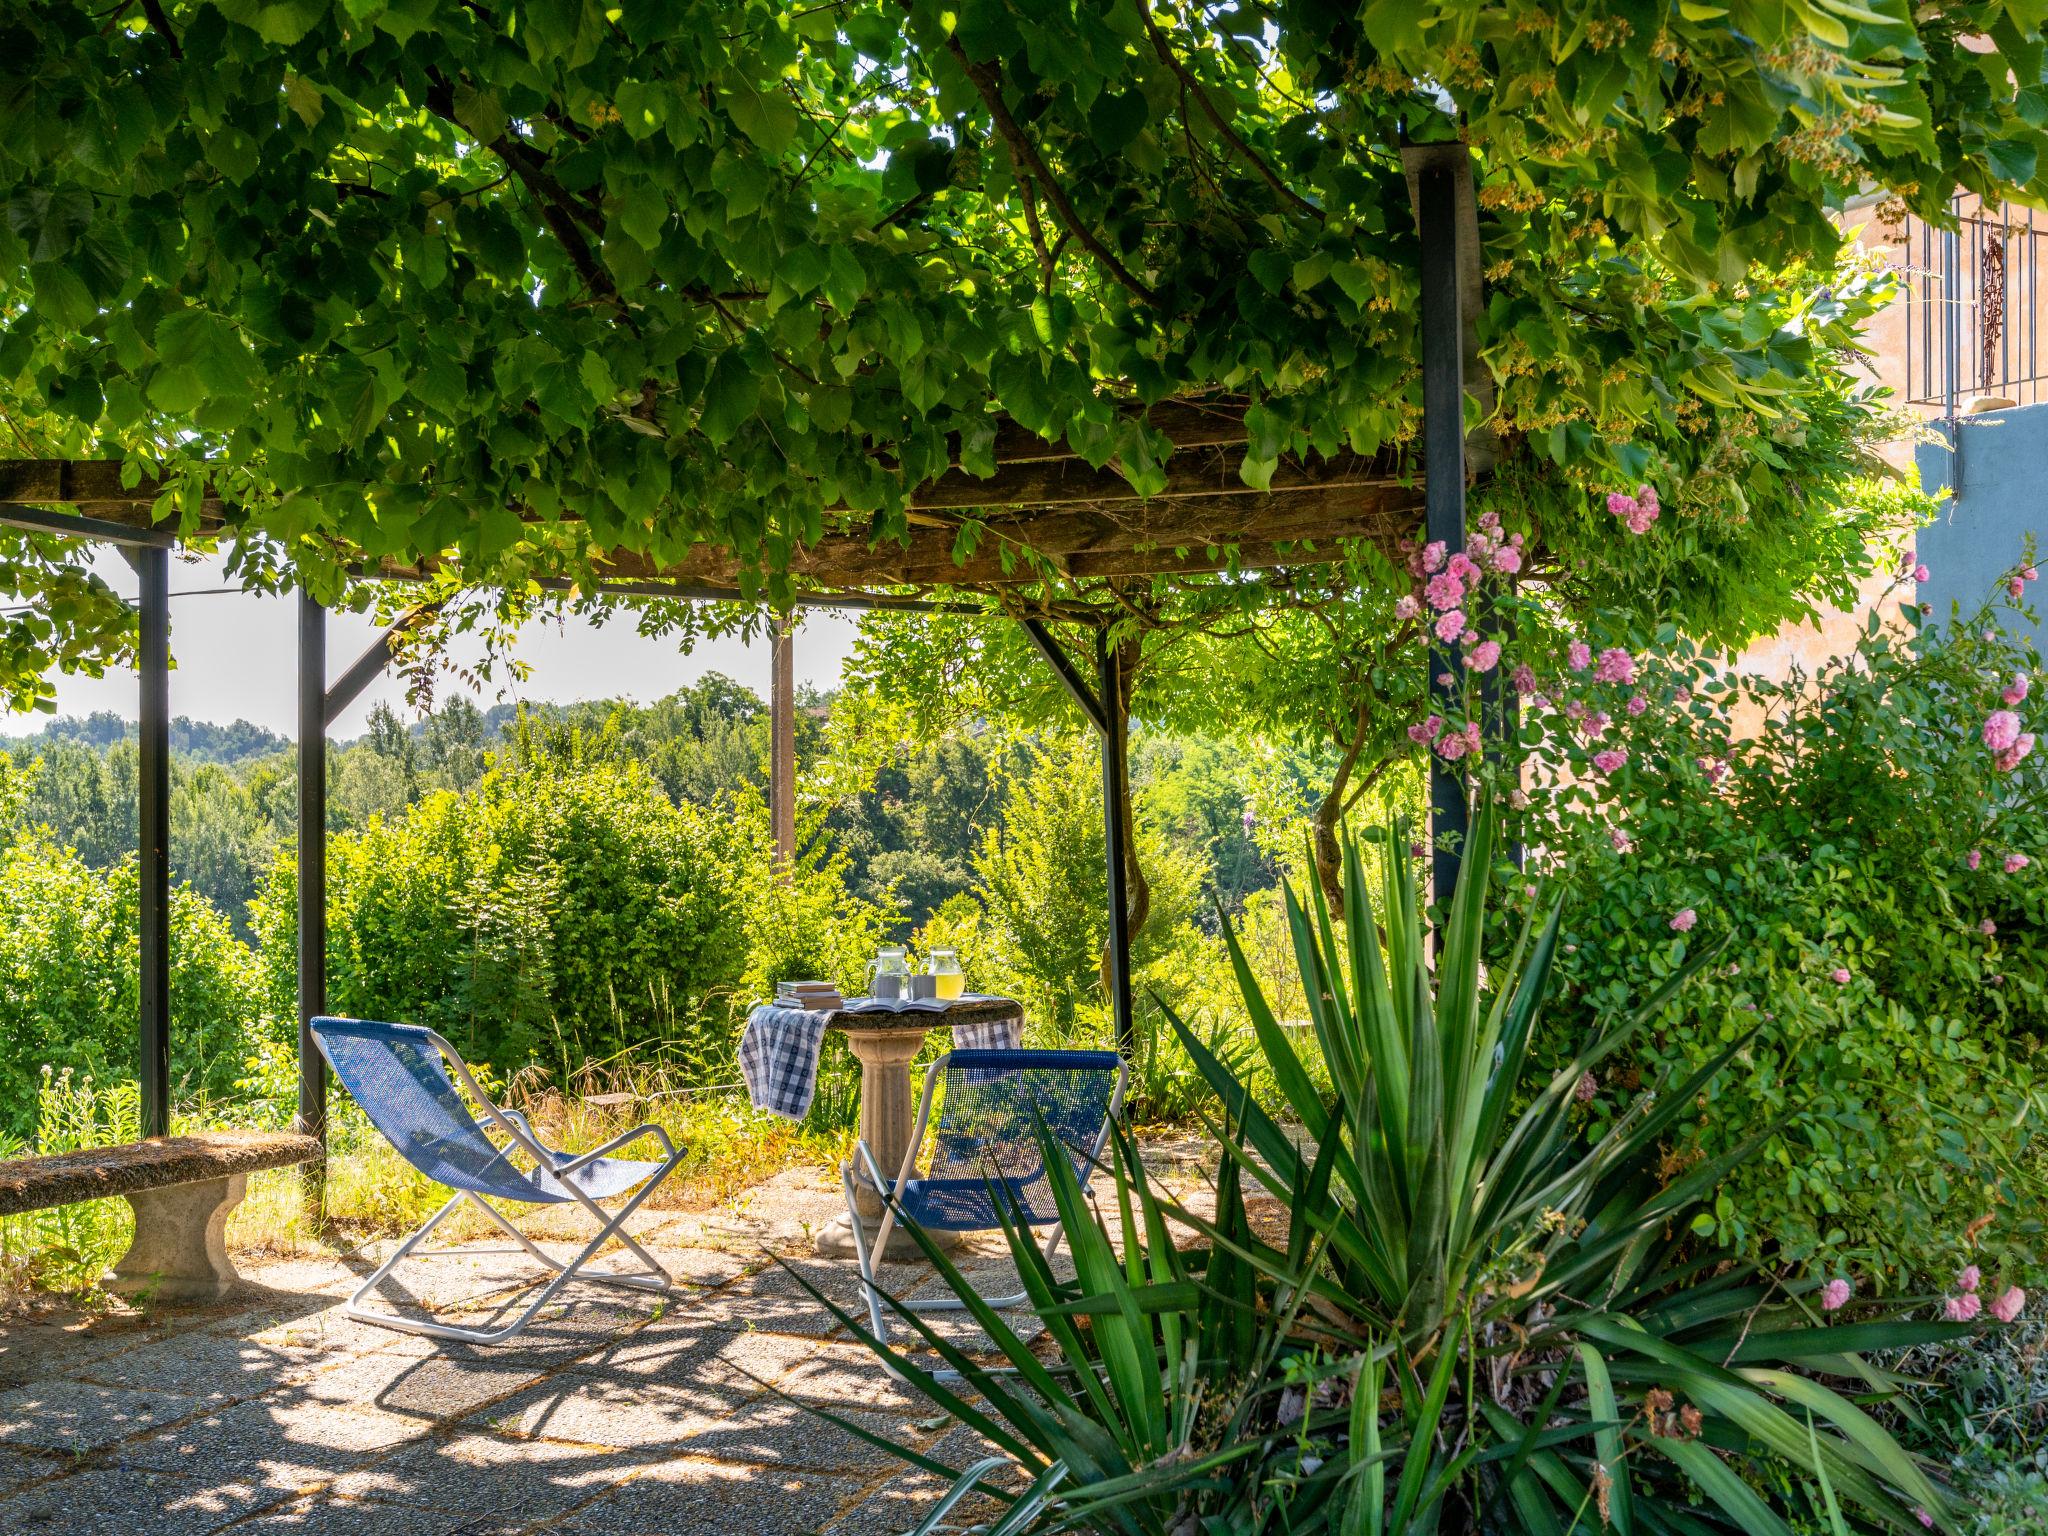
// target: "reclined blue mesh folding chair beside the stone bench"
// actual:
[[400, 1074]]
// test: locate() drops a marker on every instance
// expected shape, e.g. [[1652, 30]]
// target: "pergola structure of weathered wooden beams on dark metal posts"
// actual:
[[1043, 515]]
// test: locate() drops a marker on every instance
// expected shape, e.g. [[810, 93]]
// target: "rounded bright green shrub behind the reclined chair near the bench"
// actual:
[[554, 914]]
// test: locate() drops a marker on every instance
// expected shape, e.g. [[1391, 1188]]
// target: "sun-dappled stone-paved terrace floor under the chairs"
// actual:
[[613, 1414]]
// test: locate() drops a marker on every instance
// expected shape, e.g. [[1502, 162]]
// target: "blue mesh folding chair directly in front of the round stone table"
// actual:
[[986, 1148]]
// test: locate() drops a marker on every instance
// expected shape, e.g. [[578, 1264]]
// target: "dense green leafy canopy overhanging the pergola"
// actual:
[[513, 284]]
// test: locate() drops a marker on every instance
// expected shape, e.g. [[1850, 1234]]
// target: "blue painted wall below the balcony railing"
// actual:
[[2000, 482]]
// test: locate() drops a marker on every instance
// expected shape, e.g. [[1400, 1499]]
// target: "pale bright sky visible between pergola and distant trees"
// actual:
[[237, 658]]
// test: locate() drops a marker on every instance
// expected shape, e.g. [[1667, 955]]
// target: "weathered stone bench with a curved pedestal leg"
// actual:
[[181, 1191]]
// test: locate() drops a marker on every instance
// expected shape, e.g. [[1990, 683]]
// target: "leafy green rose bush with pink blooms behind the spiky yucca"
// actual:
[[1850, 835]]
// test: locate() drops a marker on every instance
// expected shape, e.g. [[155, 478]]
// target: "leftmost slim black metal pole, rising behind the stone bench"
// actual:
[[153, 837]]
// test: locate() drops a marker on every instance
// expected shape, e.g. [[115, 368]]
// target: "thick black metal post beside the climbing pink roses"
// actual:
[[1443, 456]]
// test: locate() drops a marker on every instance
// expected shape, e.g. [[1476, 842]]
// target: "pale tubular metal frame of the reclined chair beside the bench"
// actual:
[[521, 1138]]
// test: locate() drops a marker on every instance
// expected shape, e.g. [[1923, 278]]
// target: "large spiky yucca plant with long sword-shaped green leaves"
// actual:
[[1480, 1320]]
